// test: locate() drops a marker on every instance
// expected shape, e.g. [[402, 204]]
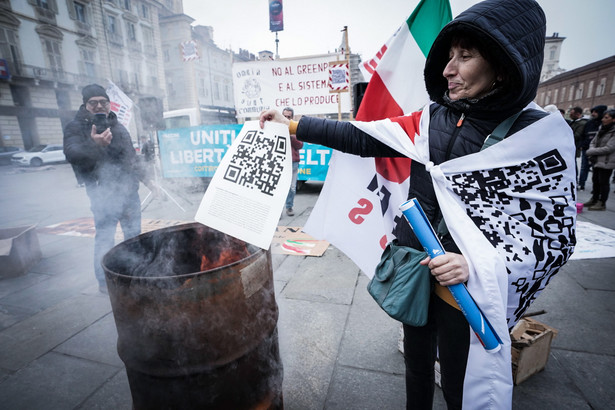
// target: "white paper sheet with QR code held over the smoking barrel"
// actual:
[[247, 193]]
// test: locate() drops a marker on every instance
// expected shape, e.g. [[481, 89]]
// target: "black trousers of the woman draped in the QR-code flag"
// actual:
[[447, 335]]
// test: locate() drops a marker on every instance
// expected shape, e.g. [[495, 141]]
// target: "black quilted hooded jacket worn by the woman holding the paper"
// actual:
[[514, 33]]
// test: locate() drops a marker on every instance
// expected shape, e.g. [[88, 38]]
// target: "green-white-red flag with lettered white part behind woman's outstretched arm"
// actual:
[[359, 202]]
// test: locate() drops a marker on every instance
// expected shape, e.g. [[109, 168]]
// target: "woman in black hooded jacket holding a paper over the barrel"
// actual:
[[483, 68]]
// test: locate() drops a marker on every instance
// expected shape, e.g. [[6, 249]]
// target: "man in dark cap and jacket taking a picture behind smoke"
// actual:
[[102, 155]]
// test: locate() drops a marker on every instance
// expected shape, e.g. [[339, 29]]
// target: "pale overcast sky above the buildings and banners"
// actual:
[[313, 26]]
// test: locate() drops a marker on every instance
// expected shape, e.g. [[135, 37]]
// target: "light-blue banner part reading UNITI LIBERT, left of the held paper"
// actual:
[[195, 151]]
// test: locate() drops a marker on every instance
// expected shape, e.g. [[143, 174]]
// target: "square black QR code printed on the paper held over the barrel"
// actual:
[[257, 163]]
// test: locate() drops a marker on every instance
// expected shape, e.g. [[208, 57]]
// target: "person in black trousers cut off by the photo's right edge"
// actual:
[[600, 154]]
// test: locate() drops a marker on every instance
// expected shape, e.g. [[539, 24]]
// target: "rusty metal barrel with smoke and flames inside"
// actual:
[[196, 318]]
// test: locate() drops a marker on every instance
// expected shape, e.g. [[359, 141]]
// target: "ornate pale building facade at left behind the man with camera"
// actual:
[[50, 49]]
